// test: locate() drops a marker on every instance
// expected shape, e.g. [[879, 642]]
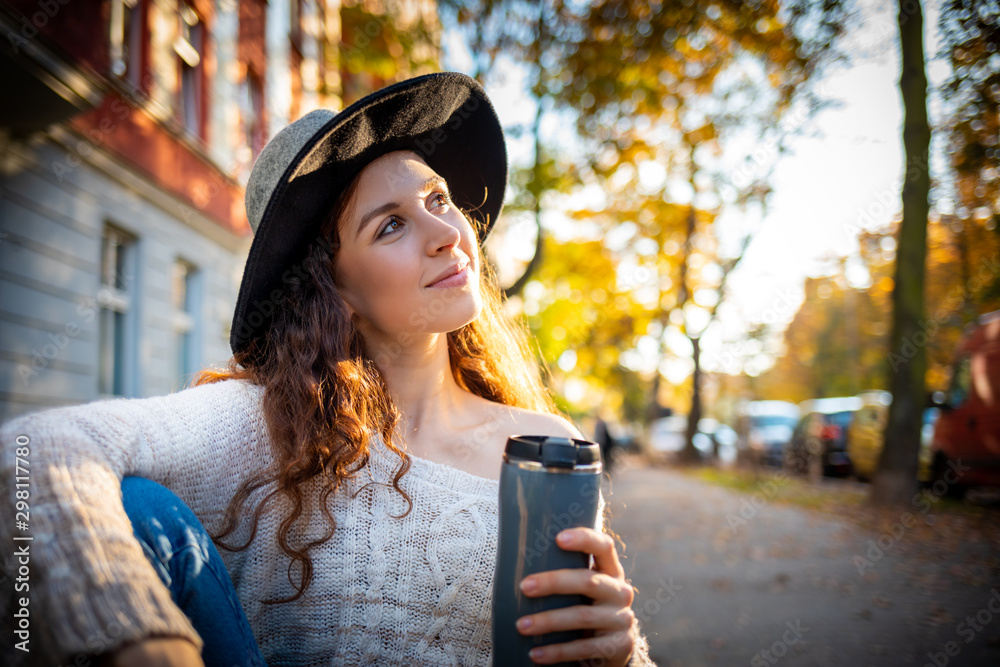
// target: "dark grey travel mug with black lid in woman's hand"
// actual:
[[546, 485]]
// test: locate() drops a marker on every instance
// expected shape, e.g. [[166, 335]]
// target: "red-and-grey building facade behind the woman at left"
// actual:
[[129, 134]]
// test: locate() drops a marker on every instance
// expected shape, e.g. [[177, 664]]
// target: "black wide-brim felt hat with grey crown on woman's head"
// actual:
[[445, 118]]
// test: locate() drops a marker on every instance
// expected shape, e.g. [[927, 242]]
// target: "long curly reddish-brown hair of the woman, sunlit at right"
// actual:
[[324, 397]]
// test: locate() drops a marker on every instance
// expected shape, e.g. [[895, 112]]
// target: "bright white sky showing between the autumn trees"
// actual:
[[842, 175]]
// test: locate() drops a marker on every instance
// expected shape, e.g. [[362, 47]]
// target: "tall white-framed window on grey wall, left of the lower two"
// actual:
[[116, 298]]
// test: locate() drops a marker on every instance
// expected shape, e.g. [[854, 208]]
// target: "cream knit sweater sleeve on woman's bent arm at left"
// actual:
[[90, 587]]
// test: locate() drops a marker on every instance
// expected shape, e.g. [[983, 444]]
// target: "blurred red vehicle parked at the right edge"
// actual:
[[966, 447]]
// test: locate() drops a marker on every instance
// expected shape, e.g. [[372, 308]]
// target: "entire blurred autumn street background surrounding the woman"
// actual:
[[745, 279]]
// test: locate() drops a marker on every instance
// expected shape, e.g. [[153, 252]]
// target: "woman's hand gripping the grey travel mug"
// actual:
[[610, 617]]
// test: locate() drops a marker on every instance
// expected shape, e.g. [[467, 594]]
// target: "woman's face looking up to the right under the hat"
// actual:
[[408, 262]]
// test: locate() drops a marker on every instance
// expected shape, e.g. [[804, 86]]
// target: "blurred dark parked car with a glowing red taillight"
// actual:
[[820, 437]]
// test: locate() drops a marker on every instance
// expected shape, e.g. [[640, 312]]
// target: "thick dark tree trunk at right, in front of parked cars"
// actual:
[[895, 479]]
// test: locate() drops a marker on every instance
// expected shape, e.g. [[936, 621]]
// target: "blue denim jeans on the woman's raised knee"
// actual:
[[183, 555]]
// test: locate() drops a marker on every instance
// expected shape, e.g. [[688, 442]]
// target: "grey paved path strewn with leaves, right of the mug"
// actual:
[[784, 587]]
